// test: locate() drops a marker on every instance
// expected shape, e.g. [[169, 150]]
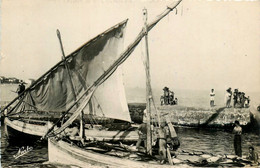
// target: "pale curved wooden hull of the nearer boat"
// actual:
[[61, 152]]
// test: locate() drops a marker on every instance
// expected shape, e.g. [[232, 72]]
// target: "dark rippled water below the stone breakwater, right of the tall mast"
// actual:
[[215, 141]]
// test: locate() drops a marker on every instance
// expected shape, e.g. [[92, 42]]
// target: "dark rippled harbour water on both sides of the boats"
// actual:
[[212, 141]]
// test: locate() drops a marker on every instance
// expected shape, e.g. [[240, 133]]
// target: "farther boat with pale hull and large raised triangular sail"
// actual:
[[56, 92]]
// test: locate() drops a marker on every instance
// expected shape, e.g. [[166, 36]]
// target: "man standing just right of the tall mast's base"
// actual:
[[162, 143]]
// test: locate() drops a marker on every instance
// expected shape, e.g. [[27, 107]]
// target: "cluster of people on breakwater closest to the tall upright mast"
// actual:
[[168, 97]]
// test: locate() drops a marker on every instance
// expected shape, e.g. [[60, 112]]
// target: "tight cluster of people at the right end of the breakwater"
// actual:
[[239, 99]]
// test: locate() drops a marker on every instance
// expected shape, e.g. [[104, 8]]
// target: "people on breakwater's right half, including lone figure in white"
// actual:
[[239, 99]]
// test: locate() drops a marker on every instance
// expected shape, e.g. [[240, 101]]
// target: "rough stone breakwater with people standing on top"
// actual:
[[208, 117]]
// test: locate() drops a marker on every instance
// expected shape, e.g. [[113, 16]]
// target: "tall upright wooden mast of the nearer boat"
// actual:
[[148, 93]]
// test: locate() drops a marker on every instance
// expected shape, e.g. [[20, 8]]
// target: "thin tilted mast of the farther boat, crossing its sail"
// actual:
[[82, 132]]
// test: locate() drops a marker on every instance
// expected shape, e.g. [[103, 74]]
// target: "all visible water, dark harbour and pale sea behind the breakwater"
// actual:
[[207, 140]]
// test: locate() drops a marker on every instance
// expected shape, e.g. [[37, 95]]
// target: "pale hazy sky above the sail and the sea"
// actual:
[[206, 45]]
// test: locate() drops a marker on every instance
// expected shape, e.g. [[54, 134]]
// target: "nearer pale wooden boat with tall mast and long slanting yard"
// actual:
[[68, 151]]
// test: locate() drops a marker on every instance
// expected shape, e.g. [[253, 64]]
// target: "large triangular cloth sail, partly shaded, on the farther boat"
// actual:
[[53, 91]]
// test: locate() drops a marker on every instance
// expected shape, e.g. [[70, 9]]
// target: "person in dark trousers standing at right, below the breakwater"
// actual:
[[237, 138]]
